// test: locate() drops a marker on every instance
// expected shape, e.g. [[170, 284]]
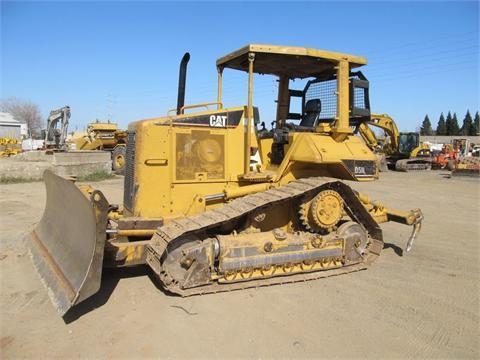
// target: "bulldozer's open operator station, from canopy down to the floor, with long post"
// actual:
[[317, 91]]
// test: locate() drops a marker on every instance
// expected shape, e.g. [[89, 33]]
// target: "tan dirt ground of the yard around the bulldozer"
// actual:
[[423, 305]]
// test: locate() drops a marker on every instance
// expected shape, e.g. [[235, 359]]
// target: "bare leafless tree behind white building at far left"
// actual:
[[24, 111]]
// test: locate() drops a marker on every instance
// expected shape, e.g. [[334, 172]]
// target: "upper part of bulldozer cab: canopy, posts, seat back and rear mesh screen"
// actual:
[[324, 98]]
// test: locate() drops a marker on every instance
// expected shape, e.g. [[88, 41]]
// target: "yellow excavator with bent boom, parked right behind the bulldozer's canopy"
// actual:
[[403, 151]]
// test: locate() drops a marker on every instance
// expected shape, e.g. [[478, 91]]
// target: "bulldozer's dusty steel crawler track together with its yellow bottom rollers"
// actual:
[[191, 229]]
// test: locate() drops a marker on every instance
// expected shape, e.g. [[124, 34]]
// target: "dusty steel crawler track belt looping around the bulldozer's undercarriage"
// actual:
[[167, 236]]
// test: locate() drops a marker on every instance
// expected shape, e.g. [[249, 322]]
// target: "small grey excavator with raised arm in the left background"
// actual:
[[55, 134]]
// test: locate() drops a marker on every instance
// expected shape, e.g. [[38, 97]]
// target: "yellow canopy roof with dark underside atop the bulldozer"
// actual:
[[291, 61]]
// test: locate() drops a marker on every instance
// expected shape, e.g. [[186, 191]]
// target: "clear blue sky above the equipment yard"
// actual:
[[119, 60]]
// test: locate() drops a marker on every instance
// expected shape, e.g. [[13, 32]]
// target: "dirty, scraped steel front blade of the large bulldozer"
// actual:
[[67, 244]]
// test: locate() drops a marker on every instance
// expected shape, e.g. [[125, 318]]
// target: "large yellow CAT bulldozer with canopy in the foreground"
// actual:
[[212, 204]]
